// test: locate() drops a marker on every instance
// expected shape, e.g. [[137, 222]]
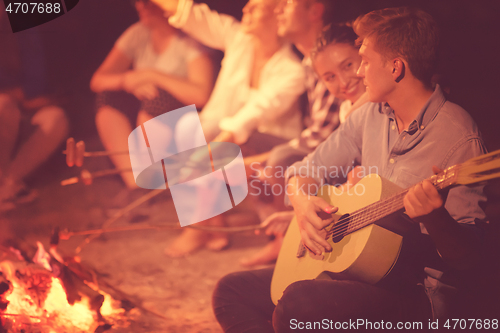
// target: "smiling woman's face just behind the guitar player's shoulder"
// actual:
[[337, 66]]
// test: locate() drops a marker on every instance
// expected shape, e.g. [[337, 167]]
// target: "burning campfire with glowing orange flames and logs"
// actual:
[[49, 295]]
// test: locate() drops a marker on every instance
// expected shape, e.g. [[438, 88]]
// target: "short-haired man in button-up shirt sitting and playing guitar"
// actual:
[[407, 128]]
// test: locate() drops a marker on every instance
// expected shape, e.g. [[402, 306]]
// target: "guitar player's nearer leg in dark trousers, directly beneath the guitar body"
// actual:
[[343, 300]]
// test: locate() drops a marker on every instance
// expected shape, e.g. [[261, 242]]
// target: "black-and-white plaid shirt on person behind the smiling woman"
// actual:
[[323, 117]]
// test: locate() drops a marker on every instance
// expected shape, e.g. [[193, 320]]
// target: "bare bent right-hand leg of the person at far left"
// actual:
[[52, 128]]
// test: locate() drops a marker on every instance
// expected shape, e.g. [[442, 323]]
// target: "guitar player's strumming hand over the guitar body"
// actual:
[[307, 211]]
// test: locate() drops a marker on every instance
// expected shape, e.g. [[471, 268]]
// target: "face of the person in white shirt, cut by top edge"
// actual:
[[259, 18]]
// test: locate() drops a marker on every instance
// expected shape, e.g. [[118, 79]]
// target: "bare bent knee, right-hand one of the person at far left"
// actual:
[[52, 120]]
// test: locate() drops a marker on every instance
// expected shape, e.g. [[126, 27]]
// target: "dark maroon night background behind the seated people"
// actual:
[[76, 44]]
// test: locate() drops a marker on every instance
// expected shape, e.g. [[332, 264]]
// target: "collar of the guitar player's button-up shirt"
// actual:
[[426, 114]]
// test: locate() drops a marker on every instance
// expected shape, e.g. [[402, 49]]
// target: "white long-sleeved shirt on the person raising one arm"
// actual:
[[234, 106]]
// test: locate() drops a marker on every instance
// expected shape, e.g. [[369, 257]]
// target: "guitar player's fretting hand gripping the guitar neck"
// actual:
[[423, 198]]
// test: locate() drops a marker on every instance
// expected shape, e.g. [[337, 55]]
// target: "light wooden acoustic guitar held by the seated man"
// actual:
[[362, 249]]
